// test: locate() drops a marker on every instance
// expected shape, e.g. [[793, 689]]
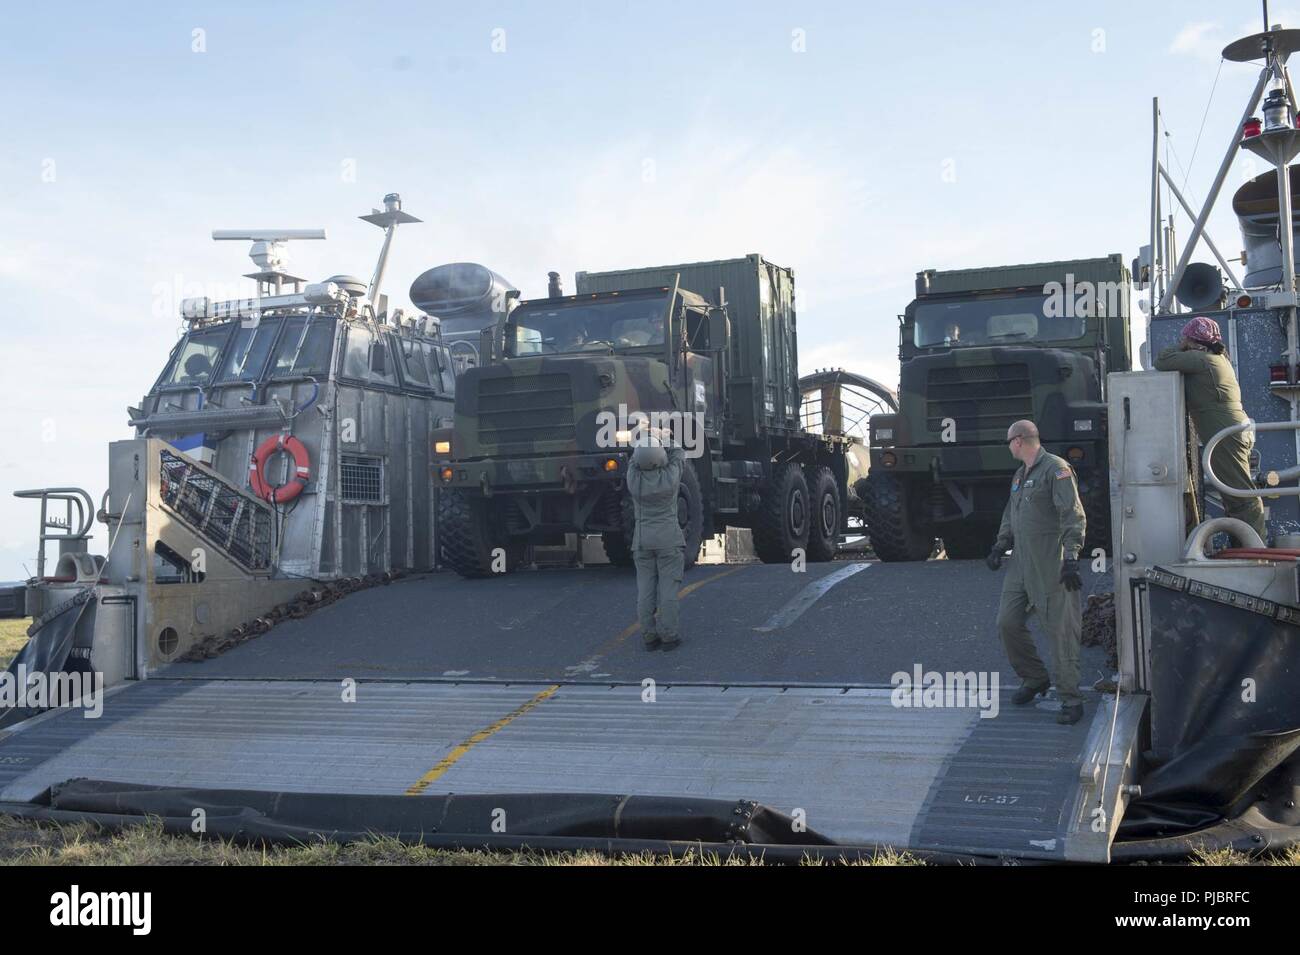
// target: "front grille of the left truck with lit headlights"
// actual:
[[517, 413]]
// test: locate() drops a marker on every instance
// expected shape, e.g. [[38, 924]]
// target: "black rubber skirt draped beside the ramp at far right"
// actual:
[[1225, 715]]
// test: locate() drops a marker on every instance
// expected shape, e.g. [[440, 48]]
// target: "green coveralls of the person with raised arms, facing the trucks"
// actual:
[[658, 546]]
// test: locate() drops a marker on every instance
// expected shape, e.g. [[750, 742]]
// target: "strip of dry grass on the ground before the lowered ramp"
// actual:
[[41, 844]]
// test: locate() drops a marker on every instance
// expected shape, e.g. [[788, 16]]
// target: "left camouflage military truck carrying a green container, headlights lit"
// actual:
[[544, 429]]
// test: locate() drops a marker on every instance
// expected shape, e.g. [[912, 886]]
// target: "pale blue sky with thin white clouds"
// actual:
[[857, 144]]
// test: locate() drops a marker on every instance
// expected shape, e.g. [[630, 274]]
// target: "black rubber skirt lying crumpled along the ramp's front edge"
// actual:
[[294, 818]]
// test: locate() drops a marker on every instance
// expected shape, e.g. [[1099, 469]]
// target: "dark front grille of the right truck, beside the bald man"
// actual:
[[978, 397]]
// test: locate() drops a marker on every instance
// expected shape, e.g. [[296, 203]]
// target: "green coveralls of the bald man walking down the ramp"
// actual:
[[1043, 524]]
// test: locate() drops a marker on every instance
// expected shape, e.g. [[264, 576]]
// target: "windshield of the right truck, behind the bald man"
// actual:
[[991, 322]]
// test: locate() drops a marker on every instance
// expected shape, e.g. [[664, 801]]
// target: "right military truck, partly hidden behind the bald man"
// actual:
[[981, 349]]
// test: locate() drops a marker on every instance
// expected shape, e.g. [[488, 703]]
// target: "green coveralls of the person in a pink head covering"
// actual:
[[1215, 402]]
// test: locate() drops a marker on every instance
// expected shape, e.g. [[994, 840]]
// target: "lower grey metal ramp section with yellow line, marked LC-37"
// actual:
[[864, 771]]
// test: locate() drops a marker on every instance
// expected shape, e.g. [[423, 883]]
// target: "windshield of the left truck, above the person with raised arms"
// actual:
[[590, 327]]
